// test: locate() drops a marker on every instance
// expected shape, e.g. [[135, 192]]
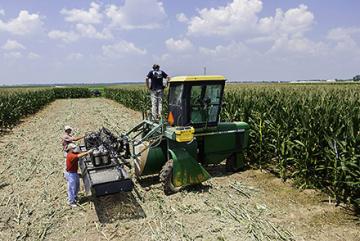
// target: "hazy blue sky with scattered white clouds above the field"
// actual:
[[69, 41]]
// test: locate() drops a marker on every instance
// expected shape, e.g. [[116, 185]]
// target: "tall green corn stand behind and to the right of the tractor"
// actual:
[[309, 133]]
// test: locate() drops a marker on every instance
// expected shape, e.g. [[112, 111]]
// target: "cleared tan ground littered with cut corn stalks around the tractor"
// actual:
[[250, 205]]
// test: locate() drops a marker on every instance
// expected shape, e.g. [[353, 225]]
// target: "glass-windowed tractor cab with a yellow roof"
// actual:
[[195, 100]]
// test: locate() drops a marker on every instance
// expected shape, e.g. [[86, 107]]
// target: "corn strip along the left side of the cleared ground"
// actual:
[[18, 103]]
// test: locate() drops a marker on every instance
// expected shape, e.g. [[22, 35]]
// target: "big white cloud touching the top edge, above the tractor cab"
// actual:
[[236, 17]]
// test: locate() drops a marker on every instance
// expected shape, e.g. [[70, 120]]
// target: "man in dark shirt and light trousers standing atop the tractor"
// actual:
[[156, 87]]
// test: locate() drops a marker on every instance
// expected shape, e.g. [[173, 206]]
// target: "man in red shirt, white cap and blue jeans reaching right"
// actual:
[[71, 174]]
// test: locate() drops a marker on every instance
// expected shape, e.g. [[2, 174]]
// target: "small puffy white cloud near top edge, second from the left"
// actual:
[[92, 16]]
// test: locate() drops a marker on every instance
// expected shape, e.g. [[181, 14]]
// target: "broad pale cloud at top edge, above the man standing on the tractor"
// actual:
[[137, 14]]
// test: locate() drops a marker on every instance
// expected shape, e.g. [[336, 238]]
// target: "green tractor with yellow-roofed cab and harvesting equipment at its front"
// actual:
[[179, 149]]
